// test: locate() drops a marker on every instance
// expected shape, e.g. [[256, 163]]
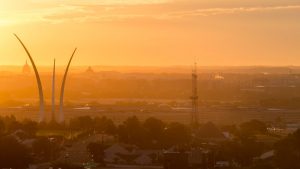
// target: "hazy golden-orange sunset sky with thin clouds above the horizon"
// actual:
[[152, 32]]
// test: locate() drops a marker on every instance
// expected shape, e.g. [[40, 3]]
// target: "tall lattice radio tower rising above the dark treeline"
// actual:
[[194, 97]]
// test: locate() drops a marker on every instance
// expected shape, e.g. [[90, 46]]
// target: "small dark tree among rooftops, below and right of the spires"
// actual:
[[96, 149]]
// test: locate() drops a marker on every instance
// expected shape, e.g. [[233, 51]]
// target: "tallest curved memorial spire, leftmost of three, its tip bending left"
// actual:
[[39, 83]]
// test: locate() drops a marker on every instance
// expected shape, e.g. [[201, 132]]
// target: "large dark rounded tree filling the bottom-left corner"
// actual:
[[13, 154]]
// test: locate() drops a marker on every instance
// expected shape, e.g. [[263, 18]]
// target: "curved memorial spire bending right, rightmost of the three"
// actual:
[[61, 113]]
